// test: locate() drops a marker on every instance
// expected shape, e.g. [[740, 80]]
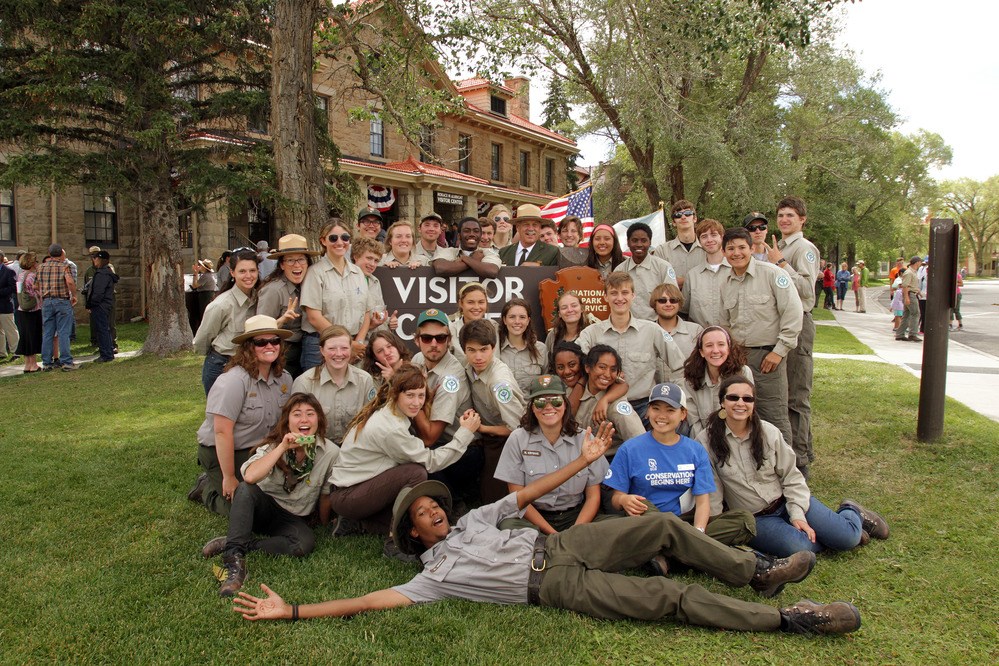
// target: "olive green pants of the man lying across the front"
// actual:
[[582, 563]]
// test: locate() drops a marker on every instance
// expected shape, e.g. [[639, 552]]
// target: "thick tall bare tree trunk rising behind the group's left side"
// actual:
[[300, 177]]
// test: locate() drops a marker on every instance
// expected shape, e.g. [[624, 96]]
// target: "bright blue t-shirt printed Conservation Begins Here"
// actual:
[[667, 476]]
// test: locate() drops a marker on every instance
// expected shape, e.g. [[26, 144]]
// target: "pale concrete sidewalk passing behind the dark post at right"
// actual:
[[972, 376]]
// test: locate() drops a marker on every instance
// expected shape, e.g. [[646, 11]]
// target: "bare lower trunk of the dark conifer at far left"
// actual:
[[169, 330]]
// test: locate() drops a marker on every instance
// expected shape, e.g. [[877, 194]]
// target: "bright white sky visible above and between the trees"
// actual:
[[939, 64]]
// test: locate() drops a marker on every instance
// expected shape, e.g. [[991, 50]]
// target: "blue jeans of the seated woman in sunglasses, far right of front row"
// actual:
[[775, 535]]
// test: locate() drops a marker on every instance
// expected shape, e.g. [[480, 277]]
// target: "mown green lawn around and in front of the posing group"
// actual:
[[101, 558]]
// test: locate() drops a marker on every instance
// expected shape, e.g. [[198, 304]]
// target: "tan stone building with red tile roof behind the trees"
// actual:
[[488, 153]]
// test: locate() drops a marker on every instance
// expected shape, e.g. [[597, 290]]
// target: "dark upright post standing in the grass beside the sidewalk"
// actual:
[[941, 290]]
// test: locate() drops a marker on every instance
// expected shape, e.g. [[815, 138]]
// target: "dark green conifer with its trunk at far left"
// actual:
[[145, 98]]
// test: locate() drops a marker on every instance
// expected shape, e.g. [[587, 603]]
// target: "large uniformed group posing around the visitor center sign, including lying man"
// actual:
[[647, 439]]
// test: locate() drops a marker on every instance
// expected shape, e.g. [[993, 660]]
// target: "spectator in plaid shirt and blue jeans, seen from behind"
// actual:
[[57, 287]]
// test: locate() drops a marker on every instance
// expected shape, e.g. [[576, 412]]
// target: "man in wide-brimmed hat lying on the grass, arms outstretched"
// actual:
[[573, 569]]
